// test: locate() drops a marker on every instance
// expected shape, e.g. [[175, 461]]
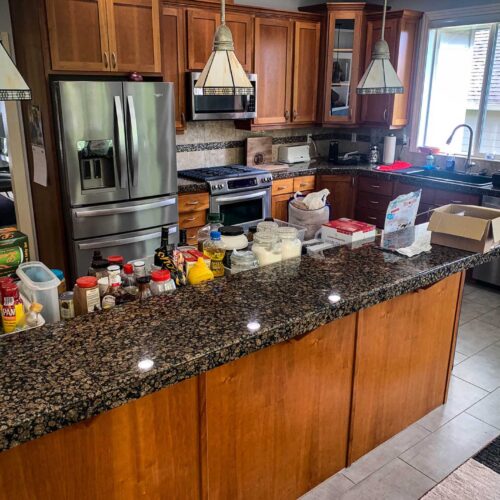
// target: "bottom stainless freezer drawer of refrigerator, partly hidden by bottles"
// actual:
[[132, 245]]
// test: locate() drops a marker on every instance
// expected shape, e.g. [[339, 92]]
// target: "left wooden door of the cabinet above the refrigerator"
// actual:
[[78, 35]]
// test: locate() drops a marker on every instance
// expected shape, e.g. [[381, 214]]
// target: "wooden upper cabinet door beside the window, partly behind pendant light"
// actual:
[[377, 109]]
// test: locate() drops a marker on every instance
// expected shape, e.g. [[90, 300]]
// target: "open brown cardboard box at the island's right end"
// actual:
[[467, 227]]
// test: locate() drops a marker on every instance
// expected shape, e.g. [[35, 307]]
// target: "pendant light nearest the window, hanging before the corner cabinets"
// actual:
[[380, 77]]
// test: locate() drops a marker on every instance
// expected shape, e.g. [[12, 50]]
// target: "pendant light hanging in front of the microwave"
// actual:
[[223, 74]]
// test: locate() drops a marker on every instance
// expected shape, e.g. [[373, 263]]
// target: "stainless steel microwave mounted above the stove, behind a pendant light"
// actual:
[[222, 107]]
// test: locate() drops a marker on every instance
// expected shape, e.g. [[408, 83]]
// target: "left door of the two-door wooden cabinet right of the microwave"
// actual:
[[273, 65]]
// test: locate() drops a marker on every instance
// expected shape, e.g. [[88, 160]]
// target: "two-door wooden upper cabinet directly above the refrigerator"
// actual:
[[104, 35]]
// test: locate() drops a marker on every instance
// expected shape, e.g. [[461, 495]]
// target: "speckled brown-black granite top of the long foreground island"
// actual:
[[58, 375]]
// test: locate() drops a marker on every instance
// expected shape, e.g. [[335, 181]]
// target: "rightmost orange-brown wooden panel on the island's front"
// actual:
[[403, 351]]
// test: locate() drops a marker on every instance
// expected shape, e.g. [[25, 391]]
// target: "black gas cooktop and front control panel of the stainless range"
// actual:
[[230, 178]]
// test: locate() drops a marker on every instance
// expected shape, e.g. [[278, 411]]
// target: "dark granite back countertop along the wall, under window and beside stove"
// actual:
[[327, 168]]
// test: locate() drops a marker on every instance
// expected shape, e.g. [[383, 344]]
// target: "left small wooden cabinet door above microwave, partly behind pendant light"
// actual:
[[201, 27]]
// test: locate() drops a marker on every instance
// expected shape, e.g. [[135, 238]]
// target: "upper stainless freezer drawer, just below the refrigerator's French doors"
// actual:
[[115, 218]]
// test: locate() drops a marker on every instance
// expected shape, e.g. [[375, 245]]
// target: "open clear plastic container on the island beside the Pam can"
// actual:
[[39, 284]]
